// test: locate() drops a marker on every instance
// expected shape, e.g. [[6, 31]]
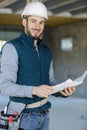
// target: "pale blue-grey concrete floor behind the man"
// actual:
[[66, 113]]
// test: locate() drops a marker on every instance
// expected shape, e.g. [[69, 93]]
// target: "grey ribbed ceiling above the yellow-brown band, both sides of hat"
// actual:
[[55, 7]]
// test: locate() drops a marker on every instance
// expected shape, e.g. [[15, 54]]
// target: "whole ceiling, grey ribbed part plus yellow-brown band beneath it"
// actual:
[[59, 10]]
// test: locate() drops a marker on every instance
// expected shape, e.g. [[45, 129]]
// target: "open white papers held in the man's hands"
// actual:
[[69, 83]]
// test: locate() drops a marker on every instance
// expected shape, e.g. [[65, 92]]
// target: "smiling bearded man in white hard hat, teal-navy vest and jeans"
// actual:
[[27, 70]]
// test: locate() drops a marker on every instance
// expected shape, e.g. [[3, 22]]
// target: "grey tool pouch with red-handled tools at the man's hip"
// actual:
[[12, 107]]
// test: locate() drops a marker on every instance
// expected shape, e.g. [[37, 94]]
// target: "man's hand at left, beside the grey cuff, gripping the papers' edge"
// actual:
[[42, 91]]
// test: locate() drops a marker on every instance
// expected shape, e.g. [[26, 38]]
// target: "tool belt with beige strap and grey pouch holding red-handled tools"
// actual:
[[10, 118]]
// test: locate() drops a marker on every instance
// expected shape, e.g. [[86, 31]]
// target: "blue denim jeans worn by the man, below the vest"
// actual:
[[34, 121]]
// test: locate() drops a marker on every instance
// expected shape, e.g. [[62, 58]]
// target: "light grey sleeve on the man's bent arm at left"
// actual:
[[9, 68]]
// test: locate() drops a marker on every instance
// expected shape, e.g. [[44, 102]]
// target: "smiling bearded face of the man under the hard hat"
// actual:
[[34, 26]]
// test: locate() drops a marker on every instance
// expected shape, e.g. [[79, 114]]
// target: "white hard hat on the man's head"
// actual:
[[35, 8]]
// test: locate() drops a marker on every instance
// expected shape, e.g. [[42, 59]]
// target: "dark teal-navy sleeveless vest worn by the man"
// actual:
[[32, 70]]
